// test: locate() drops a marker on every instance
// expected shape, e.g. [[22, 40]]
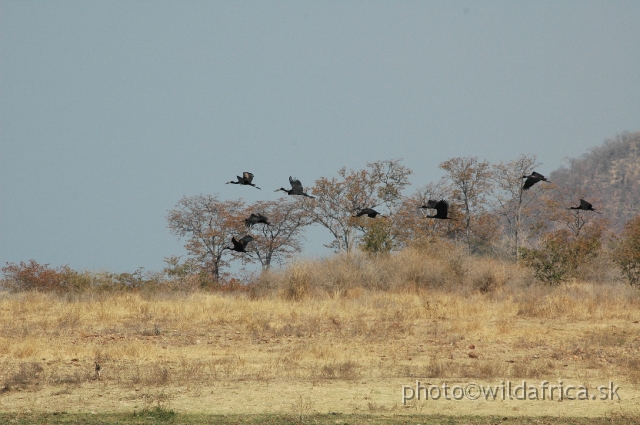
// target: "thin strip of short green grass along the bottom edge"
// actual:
[[161, 416]]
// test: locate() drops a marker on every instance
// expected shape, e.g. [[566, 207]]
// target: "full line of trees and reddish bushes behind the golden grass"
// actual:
[[491, 215]]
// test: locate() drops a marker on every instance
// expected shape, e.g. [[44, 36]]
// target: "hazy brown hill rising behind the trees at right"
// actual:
[[609, 174]]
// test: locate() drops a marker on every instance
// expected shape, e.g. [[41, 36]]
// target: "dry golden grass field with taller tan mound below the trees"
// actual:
[[341, 334]]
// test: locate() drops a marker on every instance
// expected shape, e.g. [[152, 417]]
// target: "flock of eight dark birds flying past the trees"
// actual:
[[441, 206]]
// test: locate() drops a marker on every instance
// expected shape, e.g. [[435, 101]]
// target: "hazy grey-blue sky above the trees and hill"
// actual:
[[111, 111]]
